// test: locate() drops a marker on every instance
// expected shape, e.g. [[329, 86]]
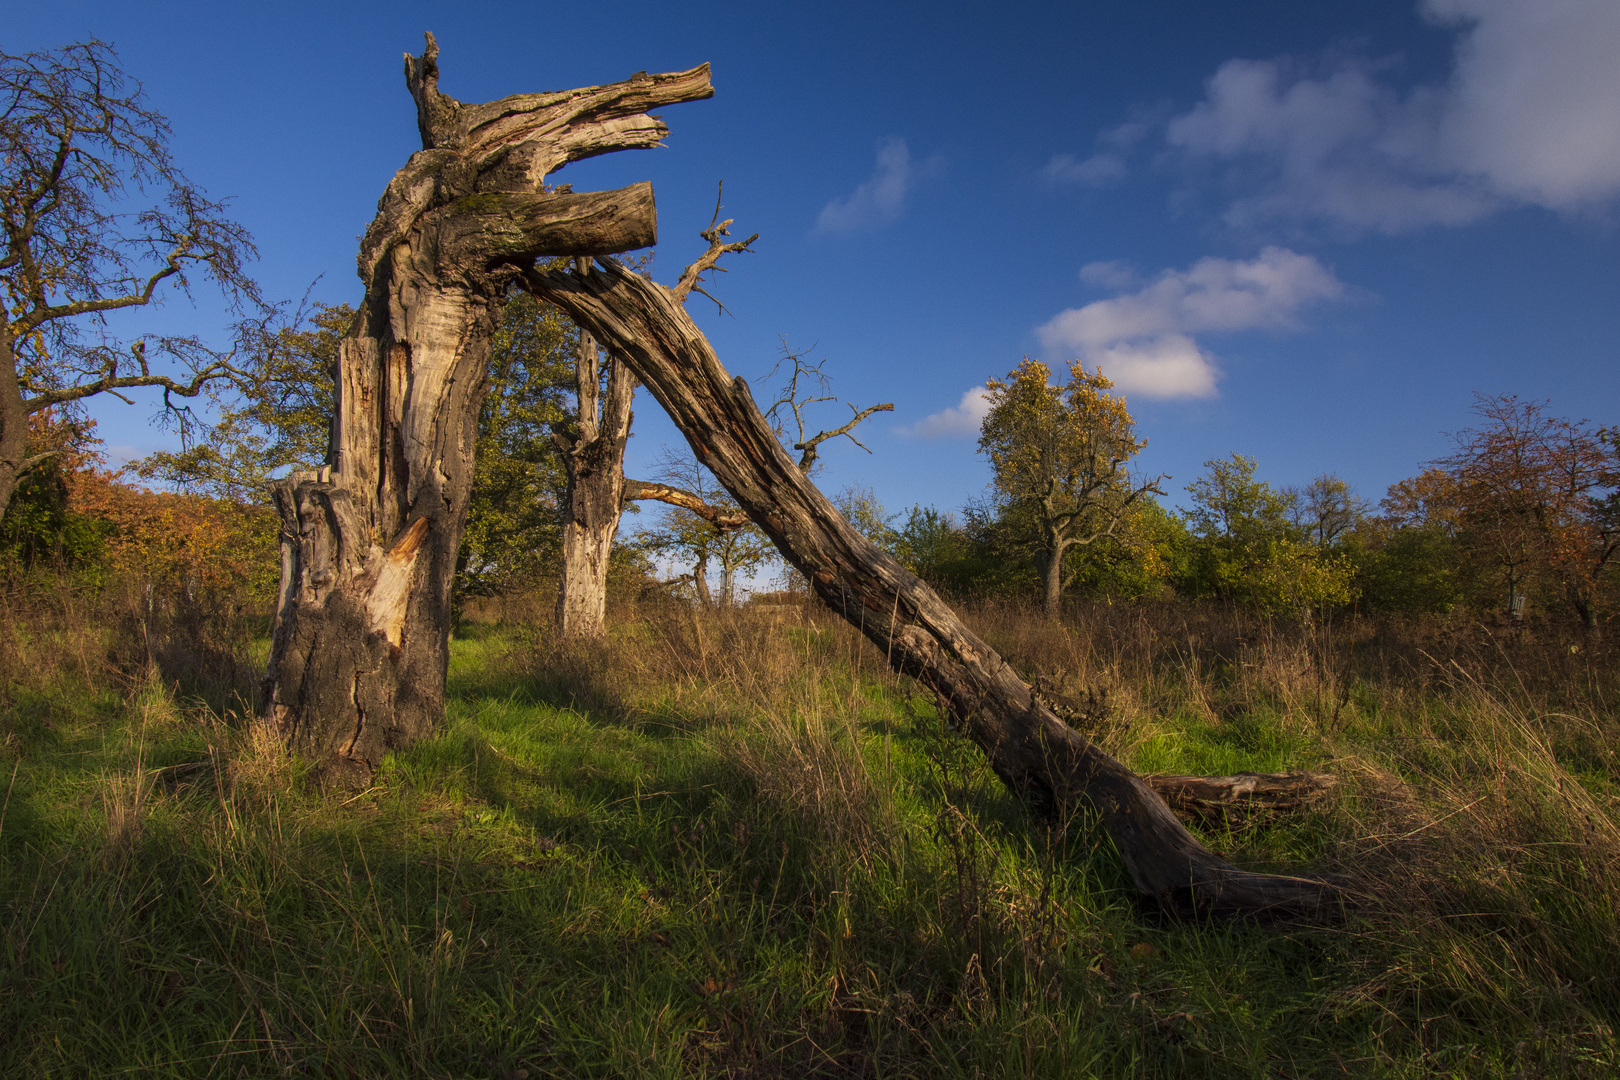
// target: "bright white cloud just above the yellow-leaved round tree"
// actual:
[[1145, 342]]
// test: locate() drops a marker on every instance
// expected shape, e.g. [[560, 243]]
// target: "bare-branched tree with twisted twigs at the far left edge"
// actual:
[[80, 155]]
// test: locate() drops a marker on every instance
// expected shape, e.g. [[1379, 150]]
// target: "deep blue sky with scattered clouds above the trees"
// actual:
[[1307, 232]]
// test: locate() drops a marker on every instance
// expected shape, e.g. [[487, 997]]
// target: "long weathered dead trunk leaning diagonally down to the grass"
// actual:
[[1028, 746]]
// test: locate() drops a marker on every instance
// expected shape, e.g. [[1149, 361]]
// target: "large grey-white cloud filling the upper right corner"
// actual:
[[1528, 116]]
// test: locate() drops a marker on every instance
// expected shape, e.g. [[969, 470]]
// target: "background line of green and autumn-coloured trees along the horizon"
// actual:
[[1522, 519]]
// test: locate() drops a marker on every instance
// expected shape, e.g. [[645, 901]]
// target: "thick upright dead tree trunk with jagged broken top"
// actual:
[[369, 543]]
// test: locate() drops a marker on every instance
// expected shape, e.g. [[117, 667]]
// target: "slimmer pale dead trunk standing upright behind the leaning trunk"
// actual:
[[594, 459]]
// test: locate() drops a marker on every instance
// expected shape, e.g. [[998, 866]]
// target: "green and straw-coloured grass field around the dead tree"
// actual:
[[735, 846]]
